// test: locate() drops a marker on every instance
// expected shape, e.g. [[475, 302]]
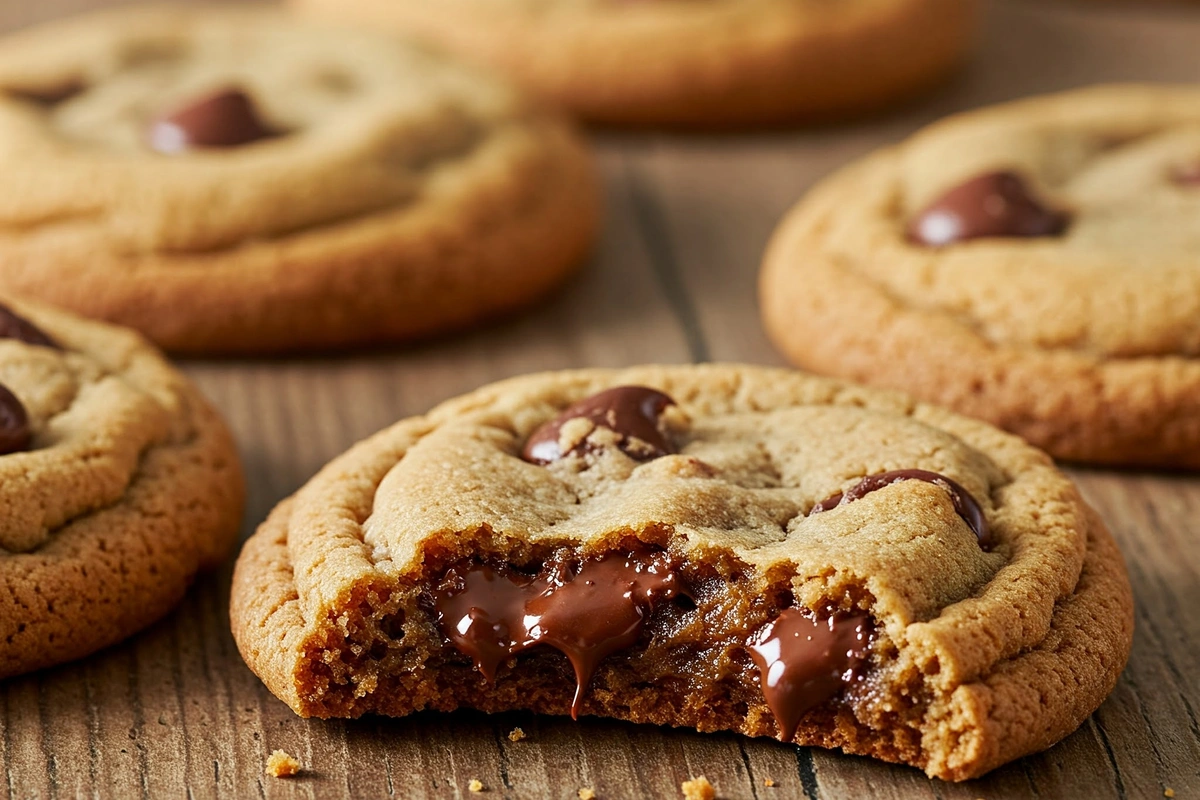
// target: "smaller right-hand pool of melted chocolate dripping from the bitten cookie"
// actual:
[[805, 661]]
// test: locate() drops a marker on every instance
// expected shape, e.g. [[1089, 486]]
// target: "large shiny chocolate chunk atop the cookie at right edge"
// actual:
[[994, 204]]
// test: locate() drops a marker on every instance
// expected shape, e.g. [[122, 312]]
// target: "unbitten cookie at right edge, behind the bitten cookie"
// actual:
[[1033, 264]]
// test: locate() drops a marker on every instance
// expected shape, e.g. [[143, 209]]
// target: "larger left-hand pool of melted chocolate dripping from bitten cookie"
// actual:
[[493, 615]]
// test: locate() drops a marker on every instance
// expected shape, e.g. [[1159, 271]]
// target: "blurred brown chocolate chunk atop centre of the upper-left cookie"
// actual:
[[225, 119]]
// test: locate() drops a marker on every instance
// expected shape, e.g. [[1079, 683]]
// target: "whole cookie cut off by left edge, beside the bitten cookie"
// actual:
[[119, 484]]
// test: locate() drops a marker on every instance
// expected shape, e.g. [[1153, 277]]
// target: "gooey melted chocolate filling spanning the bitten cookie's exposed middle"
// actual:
[[590, 610]]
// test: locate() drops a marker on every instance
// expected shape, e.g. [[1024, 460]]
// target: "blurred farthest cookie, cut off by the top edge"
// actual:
[[693, 63]]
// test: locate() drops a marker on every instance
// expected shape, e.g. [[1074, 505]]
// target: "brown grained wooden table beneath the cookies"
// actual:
[[176, 713]]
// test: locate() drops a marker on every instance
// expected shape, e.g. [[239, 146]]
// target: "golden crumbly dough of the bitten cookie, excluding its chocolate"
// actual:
[[1000, 654]]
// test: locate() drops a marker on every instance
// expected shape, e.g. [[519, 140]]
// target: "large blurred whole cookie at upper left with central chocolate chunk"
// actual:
[[235, 182]]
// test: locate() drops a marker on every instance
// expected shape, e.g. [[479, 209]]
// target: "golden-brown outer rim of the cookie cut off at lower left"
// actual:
[[103, 598]]
